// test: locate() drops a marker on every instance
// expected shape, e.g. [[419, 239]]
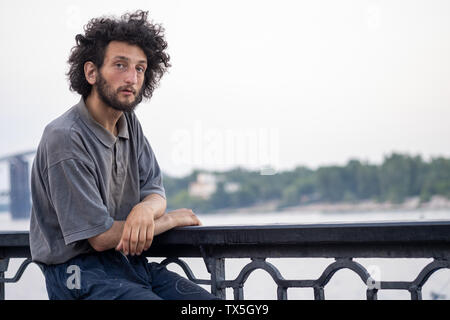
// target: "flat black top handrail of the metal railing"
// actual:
[[378, 239]]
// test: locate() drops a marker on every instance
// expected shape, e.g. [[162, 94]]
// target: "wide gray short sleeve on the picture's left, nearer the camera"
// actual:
[[74, 194]]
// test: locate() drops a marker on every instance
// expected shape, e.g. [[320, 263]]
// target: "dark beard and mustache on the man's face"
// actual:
[[111, 98]]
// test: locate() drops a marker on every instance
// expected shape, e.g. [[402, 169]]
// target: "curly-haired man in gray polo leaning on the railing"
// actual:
[[97, 191]]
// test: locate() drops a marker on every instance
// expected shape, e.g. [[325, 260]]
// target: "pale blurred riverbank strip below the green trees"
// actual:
[[436, 203]]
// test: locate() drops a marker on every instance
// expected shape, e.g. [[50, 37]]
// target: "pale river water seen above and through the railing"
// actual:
[[345, 284]]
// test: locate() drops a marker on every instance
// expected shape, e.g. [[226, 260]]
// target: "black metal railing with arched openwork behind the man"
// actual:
[[343, 242]]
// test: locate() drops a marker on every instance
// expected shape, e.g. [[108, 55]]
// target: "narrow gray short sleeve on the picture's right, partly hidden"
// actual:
[[150, 175]]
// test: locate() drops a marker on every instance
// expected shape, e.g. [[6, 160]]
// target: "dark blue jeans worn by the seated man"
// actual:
[[111, 275]]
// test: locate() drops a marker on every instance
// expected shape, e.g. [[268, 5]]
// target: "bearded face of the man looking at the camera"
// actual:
[[120, 79]]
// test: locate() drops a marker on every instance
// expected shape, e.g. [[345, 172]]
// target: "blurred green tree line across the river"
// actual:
[[398, 177]]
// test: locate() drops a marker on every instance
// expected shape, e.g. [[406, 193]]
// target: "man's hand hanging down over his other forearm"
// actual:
[[138, 231]]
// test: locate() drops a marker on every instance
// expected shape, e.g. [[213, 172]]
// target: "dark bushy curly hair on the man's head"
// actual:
[[132, 28]]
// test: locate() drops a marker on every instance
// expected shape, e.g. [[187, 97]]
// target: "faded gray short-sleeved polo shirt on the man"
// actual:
[[83, 178]]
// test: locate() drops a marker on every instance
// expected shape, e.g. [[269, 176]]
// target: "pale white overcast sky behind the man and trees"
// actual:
[[284, 83]]
